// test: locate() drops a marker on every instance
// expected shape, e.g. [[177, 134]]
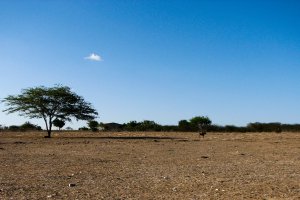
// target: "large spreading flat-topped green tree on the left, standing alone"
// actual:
[[57, 102]]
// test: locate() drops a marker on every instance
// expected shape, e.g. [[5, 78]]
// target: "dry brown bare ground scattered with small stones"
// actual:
[[149, 166]]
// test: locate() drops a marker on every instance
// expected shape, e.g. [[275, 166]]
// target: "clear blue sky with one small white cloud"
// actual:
[[234, 61]]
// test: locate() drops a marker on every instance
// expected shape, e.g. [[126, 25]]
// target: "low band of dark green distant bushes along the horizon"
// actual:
[[183, 126]]
